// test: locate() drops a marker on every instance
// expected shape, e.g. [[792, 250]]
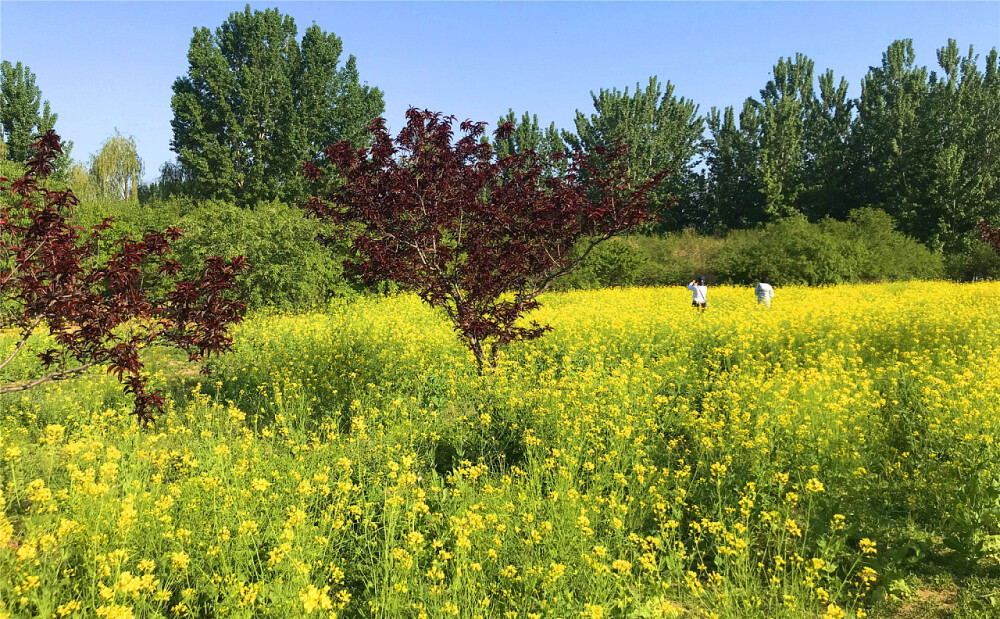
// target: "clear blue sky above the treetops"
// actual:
[[107, 65]]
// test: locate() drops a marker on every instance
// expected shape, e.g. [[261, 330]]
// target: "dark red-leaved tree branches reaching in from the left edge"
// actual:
[[98, 311]]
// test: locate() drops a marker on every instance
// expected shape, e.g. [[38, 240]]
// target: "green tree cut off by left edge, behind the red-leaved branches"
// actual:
[[20, 104]]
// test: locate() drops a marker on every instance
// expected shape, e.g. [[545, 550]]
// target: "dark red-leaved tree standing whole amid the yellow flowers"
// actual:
[[474, 234]]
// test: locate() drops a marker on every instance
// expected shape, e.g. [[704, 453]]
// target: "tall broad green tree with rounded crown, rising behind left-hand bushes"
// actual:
[[256, 103]]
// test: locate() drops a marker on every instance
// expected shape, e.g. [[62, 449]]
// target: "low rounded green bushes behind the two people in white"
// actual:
[[790, 251]]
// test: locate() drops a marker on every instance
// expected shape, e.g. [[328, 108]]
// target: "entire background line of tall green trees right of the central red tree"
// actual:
[[923, 146]]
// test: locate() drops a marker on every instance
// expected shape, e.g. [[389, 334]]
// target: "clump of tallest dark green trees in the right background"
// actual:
[[922, 147]]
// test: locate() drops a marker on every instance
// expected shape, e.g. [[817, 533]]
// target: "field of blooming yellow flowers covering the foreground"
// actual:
[[641, 460]]
